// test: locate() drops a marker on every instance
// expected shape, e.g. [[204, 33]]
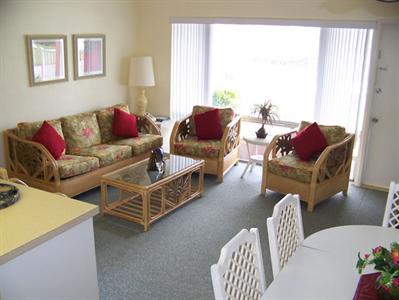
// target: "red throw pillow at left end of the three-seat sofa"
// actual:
[[49, 138]]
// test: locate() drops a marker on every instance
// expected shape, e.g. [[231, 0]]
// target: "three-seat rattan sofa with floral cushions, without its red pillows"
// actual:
[[91, 151]]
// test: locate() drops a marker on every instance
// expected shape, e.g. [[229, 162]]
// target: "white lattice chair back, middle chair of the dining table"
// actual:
[[285, 231]]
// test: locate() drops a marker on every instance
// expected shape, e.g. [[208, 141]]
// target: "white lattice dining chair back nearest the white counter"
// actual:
[[239, 273]]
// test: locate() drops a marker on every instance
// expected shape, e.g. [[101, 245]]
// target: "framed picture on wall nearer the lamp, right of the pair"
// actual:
[[88, 55]]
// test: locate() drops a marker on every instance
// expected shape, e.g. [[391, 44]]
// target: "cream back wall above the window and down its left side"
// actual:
[[154, 30]]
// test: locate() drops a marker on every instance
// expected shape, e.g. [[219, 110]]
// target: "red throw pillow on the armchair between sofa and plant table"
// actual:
[[208, 125]]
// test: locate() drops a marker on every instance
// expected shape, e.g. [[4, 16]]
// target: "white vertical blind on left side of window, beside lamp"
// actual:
[[189, 68]]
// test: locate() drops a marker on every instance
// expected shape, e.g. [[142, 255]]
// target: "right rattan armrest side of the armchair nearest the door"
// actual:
[[334, 160]]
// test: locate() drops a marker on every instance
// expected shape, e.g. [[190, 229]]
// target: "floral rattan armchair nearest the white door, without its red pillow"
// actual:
[[316, 179]]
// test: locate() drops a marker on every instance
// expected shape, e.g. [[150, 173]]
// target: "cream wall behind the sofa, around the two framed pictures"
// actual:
[[19, 102]]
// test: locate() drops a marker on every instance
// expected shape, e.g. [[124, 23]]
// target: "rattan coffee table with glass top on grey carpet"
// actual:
[[142, 196]]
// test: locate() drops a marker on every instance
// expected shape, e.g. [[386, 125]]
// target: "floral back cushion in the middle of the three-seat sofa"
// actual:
[[80, 131]]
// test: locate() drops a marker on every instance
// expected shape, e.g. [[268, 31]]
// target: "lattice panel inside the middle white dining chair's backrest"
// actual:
[[287, 233]]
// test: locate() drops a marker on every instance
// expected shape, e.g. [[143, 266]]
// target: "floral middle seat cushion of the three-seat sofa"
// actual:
[[107, 154]]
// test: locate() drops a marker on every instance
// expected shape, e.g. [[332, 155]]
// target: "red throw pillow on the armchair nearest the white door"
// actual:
[[309, 142]]
